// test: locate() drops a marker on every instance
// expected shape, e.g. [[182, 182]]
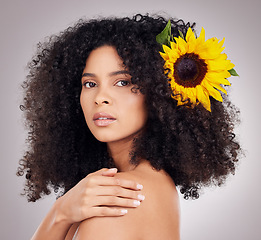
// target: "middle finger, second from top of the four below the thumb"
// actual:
[[119, 192]]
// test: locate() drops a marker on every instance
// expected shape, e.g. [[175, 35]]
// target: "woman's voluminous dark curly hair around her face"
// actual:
[[195, 147]]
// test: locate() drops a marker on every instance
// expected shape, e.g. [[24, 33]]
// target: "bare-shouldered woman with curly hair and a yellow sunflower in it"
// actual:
[[101, 95]]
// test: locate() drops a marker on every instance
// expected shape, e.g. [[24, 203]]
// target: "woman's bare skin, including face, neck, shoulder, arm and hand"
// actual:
[[98, 203]]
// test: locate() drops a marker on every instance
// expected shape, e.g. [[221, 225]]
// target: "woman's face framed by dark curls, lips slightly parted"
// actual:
[[112, 111]]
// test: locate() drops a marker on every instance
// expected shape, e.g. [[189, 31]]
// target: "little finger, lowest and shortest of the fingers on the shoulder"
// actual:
[[108, 211]]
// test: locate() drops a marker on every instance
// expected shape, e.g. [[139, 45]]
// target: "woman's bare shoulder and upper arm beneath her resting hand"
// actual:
[[156, 218]]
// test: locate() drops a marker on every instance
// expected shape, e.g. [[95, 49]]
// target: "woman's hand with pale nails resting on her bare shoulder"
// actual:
[[99, 194]]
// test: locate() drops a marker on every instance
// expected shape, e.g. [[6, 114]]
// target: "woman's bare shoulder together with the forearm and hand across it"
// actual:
[[157, 217]]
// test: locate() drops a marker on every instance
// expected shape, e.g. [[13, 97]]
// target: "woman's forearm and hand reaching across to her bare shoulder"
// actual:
[[89, 198]]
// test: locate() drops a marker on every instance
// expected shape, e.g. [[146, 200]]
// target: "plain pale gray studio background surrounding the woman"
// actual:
[[230, 212]]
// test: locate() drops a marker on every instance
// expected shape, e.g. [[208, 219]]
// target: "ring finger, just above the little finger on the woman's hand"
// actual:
[[114, 201]]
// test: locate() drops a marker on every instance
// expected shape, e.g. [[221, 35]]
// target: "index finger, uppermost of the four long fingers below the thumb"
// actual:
[[114, 181]]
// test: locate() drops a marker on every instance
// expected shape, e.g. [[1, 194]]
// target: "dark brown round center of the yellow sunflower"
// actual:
[[189, 70]]
